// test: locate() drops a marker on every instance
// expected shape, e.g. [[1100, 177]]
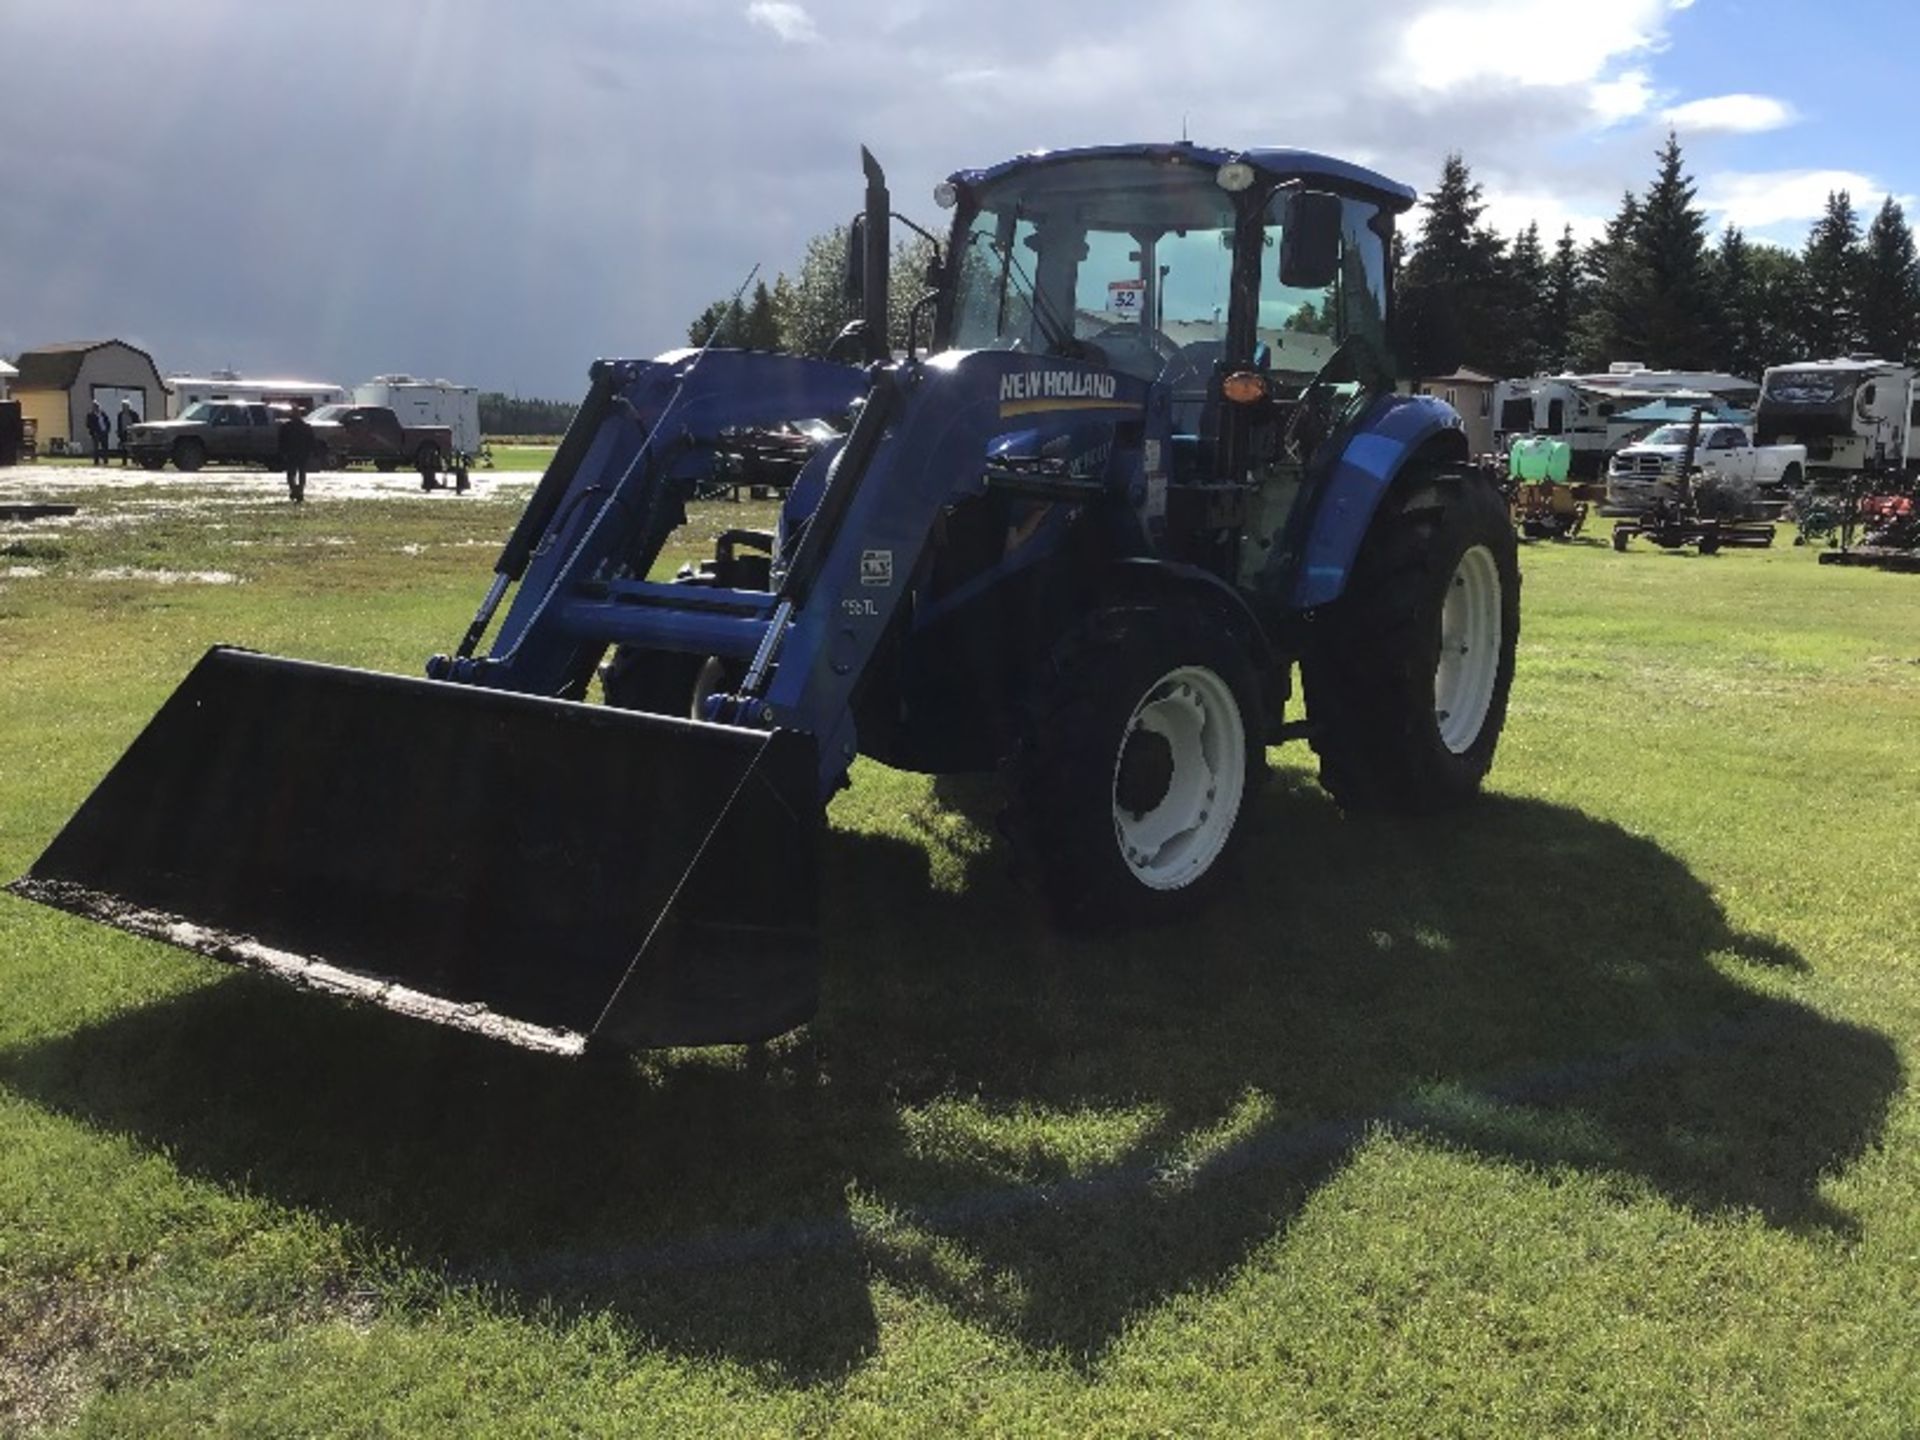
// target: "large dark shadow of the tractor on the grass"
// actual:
[[1520, 982]]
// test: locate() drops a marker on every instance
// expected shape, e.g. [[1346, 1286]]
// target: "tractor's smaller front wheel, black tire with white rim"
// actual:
[[1143, 744]]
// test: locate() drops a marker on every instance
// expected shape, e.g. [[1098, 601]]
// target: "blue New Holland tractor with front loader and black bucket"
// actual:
[[1149, 466]]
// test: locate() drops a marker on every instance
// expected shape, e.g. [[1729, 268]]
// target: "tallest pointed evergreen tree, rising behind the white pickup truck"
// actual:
[[1669, 310]]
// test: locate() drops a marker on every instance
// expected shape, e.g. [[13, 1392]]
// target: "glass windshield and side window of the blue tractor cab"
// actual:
[[1130, 264]]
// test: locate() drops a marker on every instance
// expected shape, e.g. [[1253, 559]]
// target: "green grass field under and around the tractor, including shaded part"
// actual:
[[1583, 1113]]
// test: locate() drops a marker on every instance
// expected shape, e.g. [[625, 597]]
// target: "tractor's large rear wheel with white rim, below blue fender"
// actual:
[[1408, 681]]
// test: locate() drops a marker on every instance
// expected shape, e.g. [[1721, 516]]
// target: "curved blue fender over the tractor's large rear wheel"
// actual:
[[1393, 433]]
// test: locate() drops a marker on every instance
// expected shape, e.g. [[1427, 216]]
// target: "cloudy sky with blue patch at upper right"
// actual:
[[502, 191]]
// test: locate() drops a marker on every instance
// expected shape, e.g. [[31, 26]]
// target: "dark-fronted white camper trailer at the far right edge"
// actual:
[[1854, 416]]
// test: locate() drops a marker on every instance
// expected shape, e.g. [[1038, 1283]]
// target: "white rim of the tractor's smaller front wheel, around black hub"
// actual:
[[1178, 840]]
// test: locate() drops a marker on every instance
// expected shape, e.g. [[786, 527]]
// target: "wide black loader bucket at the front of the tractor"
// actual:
[[535, 871]]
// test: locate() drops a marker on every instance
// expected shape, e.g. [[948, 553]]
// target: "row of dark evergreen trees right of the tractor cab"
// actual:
[[1652, 287]]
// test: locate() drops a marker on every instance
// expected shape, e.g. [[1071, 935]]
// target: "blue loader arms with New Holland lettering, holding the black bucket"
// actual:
[[921, 444]]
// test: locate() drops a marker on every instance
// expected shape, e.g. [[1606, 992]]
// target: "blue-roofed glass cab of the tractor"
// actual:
[[1232, 279]]
